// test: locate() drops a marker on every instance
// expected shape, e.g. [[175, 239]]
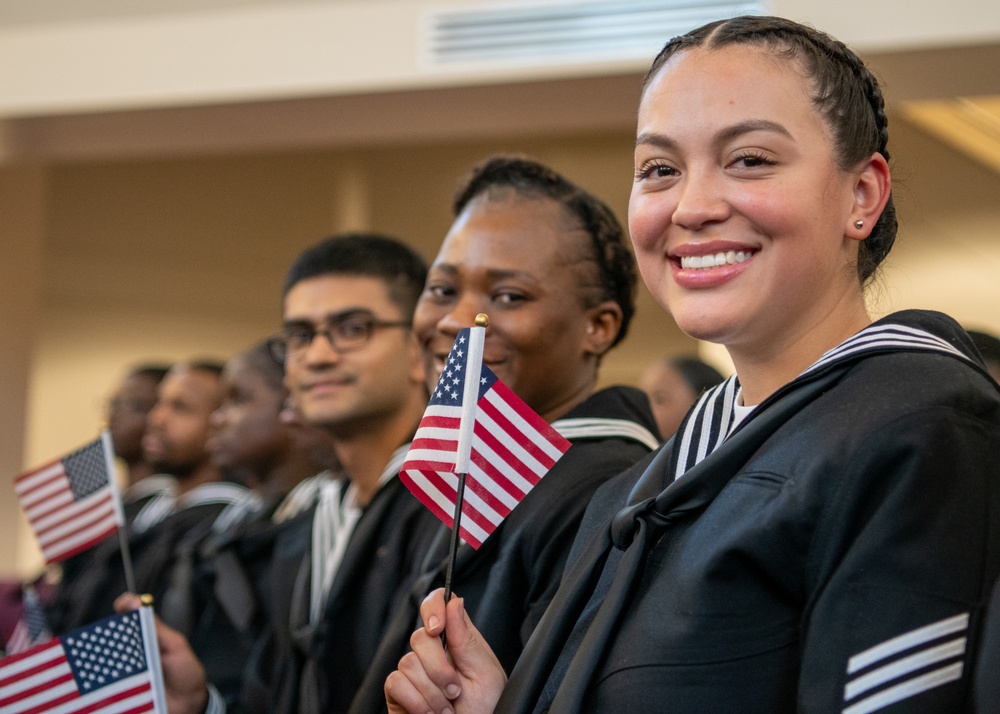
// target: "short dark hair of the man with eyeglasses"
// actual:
[[371, 255]]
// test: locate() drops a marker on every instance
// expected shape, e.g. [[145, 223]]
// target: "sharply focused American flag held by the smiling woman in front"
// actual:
[[512, 449]]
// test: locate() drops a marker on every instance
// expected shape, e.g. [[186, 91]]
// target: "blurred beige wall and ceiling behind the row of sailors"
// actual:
[[162, 162]]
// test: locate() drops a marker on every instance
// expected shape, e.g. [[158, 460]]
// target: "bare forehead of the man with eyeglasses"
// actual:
[[319, 297]]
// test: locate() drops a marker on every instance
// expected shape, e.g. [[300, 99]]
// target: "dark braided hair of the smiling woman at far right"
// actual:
[[845, 93]]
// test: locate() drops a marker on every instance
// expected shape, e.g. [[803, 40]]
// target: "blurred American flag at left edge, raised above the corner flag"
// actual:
[[72, 503]]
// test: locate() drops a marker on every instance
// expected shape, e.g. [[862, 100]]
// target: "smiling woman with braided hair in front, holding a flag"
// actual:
[[821, 535]]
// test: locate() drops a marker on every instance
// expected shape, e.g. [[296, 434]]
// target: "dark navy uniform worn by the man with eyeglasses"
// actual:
[[301, 666]]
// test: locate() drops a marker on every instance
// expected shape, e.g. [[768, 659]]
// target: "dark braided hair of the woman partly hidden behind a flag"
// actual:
[[530, 179]]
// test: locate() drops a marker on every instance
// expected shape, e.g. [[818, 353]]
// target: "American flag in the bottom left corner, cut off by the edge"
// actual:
[[109, 666]]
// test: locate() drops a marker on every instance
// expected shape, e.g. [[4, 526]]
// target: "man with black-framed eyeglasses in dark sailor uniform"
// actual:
[[353, 367]]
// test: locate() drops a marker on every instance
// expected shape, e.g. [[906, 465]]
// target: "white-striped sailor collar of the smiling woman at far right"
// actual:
[[710, 421]]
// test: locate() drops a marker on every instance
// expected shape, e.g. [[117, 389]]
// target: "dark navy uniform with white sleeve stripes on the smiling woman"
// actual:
[[834, 552]]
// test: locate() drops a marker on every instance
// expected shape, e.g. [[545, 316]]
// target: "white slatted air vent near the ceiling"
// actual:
[[563, 31]]
